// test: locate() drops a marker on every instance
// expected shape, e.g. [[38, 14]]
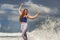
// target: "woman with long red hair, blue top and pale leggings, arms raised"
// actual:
[[23, 20]]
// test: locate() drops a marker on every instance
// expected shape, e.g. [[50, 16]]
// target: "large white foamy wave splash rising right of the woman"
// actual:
[[49, 31]]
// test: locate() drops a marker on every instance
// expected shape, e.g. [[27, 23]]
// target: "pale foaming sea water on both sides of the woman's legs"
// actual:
[[48, 30]]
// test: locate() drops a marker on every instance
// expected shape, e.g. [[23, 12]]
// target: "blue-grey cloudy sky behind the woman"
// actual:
[[9, 16]]
